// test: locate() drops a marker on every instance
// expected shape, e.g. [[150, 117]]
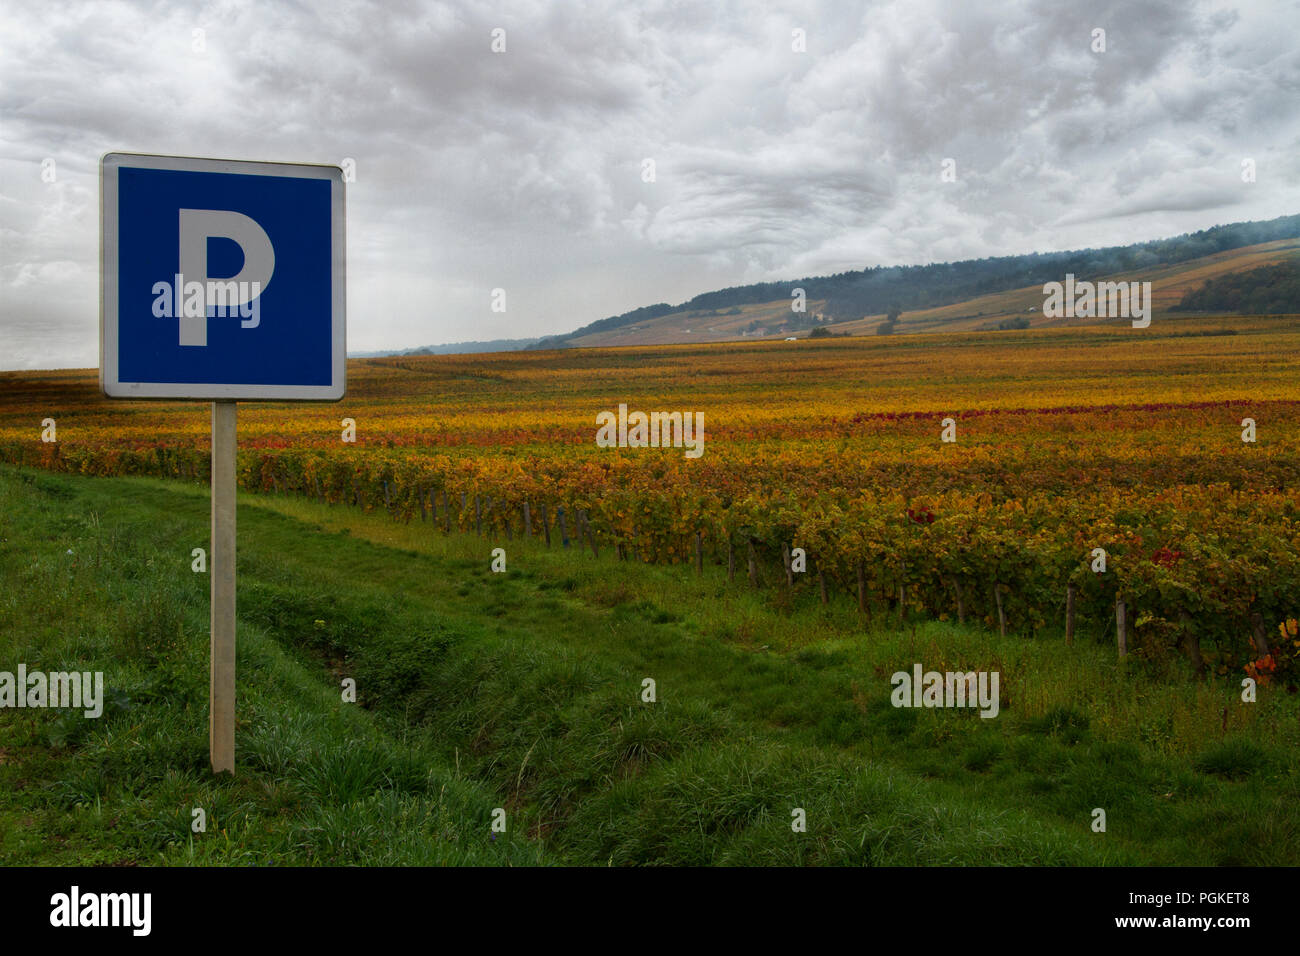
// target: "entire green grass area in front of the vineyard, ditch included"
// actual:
[[523, 691]]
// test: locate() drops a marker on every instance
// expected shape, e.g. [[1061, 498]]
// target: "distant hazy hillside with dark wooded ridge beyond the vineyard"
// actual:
[[764, 312]]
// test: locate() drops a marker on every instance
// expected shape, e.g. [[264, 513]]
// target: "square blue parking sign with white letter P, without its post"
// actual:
[[222, 279]]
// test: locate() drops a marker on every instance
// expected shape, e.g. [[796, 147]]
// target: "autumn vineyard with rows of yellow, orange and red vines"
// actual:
[[1065, 442]]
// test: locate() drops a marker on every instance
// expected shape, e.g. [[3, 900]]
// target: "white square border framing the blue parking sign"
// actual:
[[109, 370]]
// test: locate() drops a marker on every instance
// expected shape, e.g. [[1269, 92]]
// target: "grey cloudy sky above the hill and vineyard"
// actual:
[[526, 170]]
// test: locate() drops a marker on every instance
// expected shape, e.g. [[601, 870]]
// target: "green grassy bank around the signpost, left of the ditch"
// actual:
[[99, 578]]
